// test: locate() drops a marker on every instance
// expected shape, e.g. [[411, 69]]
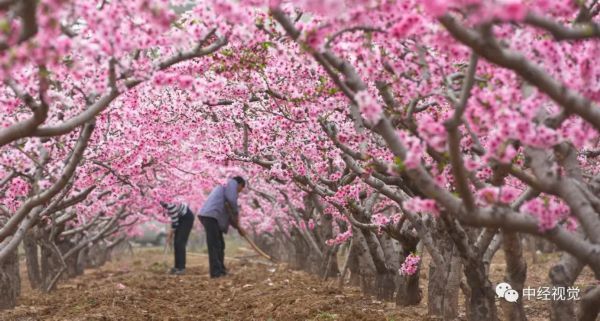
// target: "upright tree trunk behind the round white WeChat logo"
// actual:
[[516, 273]]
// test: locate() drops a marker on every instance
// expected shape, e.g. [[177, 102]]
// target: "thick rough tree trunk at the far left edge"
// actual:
[[10, 280]]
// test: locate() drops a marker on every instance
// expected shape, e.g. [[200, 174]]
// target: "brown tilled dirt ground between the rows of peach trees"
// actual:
[[135, 287]]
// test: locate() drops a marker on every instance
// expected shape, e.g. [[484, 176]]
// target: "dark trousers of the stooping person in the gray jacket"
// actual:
[[216, 246]]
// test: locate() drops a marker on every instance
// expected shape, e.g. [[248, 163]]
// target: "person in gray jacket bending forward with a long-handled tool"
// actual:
[[218, 212]]
